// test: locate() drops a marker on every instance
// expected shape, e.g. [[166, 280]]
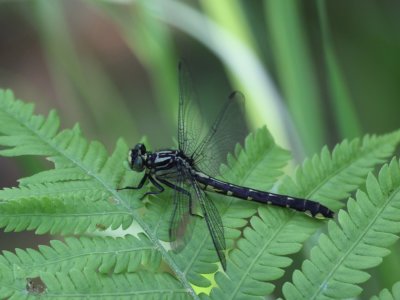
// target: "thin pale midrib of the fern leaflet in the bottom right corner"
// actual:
[[356, 242]]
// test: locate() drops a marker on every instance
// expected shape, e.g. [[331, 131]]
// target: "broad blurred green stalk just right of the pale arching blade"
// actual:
[[295, 71]]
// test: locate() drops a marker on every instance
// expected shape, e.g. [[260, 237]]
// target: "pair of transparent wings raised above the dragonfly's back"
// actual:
[[208, 145]]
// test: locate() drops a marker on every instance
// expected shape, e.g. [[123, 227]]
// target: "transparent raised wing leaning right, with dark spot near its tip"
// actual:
[[228, 129]]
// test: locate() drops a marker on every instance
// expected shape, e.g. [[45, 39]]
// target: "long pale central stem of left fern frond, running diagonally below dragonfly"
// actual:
[[181, 276]]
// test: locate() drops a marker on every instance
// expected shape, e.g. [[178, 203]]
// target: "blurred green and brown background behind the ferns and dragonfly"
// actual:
[[315, 72]]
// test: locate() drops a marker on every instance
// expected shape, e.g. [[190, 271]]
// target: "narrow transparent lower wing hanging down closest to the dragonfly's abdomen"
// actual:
[[214, 224]]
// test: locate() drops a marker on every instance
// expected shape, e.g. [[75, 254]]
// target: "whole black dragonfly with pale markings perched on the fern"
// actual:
[[191, 169]]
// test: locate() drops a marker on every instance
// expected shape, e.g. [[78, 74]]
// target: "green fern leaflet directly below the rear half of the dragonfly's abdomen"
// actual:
[[261, 255]]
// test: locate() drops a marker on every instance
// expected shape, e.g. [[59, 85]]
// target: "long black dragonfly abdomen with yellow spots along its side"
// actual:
[[311, 208]]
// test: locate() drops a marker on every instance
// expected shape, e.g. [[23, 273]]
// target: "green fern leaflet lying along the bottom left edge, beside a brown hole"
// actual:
[[77, 284]]
